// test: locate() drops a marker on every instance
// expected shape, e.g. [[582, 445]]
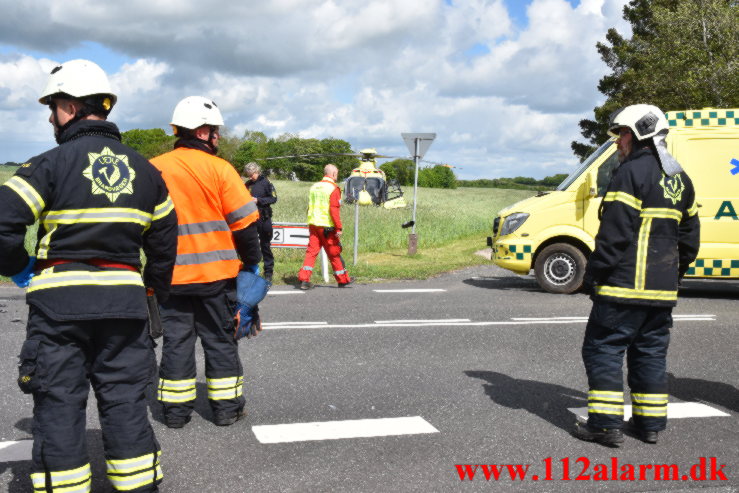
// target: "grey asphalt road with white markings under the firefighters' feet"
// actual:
[[484, 368]]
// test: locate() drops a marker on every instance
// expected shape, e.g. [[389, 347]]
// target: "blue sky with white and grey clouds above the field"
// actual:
[[503, 83]]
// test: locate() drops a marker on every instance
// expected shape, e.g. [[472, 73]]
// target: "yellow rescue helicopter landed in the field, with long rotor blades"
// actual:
[[367, 183]]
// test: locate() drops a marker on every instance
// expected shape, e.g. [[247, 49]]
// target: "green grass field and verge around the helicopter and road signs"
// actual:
[[451, 226]]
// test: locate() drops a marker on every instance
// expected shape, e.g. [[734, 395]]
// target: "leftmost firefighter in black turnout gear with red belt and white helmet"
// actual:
[[97, 203]]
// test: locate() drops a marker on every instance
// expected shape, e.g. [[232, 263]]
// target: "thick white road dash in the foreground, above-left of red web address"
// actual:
[[335, 430]]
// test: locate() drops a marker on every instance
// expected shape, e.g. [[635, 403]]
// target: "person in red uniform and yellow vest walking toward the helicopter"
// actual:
[[324, 225]]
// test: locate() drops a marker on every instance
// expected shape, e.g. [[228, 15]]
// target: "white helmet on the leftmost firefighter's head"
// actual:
[[80, 79]]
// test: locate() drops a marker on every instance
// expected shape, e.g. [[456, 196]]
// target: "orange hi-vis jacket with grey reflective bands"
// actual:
[[211, 201]]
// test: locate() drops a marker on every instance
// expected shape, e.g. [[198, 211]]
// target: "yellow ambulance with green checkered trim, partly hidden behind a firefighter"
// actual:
[[554, 232]]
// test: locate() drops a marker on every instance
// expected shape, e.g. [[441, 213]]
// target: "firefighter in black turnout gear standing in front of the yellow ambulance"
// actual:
[[649, 235]]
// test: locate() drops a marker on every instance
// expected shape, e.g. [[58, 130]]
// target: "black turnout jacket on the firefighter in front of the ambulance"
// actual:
[[649, 234]]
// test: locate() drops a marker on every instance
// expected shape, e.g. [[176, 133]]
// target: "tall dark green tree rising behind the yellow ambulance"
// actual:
[[683, 54]]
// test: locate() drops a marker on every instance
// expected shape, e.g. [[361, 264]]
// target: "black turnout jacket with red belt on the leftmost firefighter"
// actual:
[[97, 203]]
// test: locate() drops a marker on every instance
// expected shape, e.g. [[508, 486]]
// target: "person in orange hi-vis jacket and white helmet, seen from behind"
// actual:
[[217, 237]]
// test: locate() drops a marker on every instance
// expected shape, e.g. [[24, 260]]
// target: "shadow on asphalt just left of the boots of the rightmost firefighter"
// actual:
[[546, 400]]
